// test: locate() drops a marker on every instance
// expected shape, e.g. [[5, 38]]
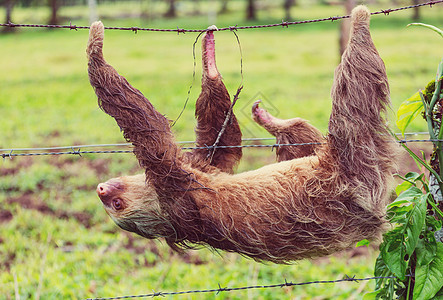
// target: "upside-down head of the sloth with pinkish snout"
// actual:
[[134, 206]]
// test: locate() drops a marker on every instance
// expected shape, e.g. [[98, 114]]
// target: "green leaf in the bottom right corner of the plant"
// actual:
[[428, 278]]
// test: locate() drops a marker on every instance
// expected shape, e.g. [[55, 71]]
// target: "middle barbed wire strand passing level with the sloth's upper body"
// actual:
[[52, 151]]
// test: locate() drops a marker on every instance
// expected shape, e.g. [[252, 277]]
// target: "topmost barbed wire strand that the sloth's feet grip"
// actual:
[[231, 28]]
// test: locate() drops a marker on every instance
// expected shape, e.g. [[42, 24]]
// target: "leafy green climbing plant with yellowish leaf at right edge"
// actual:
[[411, 254]]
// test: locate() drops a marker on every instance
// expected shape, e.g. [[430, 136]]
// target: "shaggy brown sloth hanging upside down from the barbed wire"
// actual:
[[317, 199]]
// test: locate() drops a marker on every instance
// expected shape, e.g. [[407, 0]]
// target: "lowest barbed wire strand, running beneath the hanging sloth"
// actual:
[[226, 289]]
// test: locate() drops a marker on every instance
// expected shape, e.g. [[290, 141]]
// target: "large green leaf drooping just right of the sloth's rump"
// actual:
[[400, 243]]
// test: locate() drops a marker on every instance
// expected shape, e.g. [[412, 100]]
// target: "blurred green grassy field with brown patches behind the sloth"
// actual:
[[56, 241]]
